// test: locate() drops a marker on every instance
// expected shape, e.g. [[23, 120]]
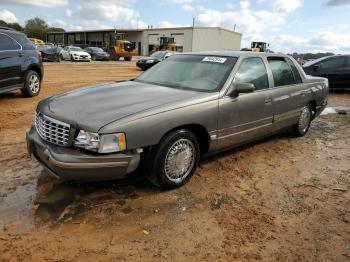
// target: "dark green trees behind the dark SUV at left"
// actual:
[[35, 28]]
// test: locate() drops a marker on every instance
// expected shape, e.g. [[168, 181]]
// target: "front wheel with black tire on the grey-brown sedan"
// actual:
[[169, 155]]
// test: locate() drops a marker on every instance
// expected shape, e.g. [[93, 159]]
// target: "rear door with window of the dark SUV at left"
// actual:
[[10, 62]]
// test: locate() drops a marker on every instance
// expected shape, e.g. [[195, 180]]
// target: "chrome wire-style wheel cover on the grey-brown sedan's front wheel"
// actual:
[[180, 160]]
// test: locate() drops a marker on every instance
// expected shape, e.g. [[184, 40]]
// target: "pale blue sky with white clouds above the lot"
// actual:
[[288, 25]]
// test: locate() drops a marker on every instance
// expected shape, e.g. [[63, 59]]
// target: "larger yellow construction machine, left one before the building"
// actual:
[[118, 47]]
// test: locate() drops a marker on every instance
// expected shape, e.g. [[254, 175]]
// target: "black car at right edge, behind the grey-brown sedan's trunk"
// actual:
[[335, 68]]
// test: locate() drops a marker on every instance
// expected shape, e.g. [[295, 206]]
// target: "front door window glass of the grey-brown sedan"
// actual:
[[252, 70]]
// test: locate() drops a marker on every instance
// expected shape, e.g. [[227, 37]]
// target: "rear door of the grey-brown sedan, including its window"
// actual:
[[287, 92]]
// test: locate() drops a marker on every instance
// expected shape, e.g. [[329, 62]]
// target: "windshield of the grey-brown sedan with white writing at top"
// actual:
[[190, 72]]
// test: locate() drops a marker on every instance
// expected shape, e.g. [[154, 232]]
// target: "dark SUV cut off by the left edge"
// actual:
[[20, 63]]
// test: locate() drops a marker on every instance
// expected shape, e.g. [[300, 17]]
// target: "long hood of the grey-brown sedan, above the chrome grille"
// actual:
[[92, 108]]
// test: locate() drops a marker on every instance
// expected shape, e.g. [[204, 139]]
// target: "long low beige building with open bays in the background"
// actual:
[[189, 38]]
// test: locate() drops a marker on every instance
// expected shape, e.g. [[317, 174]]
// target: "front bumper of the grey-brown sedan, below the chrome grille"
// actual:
[[74, 165]]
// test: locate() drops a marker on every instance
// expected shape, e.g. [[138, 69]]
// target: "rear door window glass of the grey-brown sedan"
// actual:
[[281, 71]]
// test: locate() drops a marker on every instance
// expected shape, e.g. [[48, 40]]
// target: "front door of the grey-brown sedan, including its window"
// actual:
[[245, 117]]
